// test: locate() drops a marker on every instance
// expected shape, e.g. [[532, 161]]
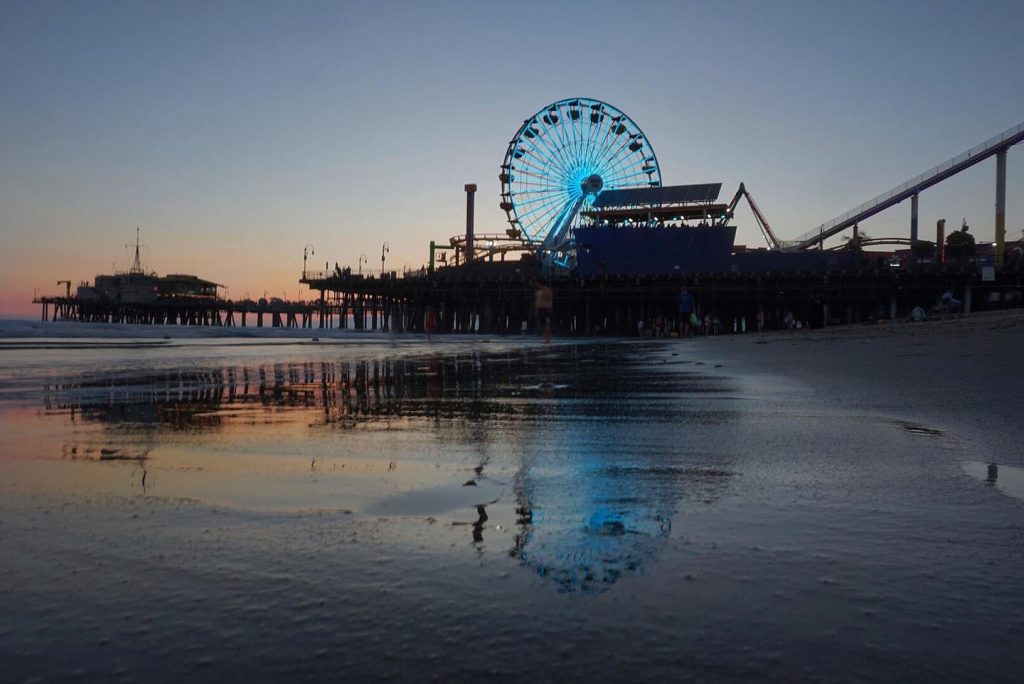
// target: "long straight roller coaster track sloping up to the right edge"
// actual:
[[910, 189]]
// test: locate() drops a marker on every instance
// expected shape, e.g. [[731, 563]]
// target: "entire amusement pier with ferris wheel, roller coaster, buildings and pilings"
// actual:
[[590, 218]]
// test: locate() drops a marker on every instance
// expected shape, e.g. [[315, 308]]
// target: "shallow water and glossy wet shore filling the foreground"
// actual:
[[383, 508]]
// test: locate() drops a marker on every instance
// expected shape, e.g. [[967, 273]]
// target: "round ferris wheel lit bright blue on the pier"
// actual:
[[563, 158]]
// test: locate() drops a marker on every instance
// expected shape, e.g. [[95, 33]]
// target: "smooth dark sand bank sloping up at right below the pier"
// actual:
[[966, 373]]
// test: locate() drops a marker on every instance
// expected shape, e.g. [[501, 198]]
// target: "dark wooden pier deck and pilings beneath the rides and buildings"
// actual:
[[498, 298]]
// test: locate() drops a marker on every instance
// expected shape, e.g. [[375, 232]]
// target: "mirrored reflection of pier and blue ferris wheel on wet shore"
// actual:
[[569, 479]]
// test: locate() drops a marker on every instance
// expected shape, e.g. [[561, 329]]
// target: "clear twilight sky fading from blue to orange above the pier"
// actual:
[[235, 134]]
